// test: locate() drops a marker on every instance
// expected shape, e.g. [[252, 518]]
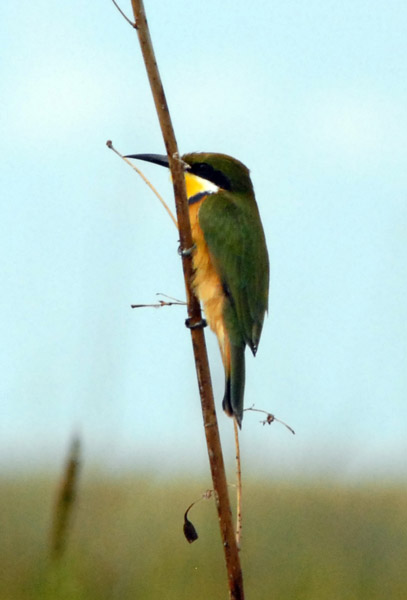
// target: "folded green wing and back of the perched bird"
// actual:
[[233, 231]]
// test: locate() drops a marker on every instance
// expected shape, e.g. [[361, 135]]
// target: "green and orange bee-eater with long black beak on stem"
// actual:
[[230, 259]]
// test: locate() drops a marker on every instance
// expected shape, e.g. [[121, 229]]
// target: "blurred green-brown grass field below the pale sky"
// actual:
[[299, 541]]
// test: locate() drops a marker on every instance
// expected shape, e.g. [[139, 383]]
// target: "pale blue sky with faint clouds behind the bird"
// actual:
[[312, 97]]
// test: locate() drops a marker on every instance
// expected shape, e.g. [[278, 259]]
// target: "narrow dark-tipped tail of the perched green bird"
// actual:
[[234, 386]]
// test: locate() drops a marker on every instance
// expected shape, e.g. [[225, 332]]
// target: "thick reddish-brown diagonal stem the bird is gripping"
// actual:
[[234, 571]]
